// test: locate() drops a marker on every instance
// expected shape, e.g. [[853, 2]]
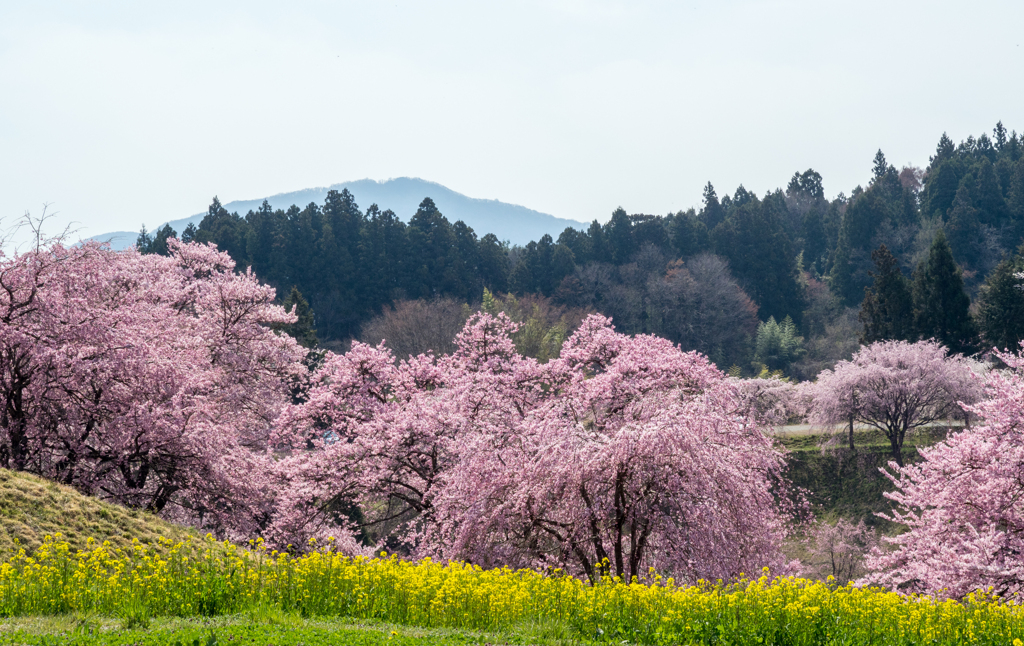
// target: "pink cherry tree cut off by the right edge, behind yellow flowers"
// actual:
[[963, 504]]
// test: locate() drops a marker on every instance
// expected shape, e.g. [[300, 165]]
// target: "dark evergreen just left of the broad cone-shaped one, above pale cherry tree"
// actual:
[[888, 309]]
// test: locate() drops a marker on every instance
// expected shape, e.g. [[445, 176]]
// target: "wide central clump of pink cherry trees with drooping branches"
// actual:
[[621, 455]]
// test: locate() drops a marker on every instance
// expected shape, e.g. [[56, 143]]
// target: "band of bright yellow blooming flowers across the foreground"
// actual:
[[209, 579]]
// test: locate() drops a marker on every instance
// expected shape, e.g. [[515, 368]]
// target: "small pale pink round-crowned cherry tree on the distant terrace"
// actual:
[[895, 387]]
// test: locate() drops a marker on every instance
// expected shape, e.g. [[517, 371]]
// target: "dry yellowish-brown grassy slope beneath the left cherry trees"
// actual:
[[32, 507]]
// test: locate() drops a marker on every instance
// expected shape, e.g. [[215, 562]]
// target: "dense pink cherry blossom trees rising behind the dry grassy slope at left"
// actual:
[[149, 380]]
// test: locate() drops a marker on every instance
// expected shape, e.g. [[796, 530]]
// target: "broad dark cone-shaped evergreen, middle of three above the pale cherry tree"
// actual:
[[941, 304]]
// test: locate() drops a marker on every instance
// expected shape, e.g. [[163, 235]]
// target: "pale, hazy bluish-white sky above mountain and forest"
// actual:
[[118, 114]]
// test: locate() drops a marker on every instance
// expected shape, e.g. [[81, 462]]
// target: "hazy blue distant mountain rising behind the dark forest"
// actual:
[[508, 222]]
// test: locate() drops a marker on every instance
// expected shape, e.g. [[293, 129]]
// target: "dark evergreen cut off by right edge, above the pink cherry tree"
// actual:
[[1001, 305]]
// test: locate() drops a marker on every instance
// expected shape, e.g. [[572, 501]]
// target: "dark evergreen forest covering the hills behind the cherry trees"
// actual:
[[790, 281]]
